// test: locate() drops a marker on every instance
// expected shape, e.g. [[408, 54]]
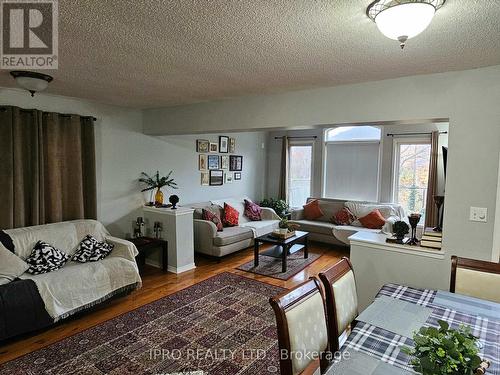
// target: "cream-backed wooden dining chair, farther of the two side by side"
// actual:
[[341, 299]]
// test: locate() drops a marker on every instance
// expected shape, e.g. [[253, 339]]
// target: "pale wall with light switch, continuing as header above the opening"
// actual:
[[468, 98]]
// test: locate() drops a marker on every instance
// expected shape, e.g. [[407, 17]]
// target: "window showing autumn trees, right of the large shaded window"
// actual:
[[411, 174]]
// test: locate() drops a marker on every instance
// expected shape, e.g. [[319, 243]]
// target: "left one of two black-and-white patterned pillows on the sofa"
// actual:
[[45, 258]]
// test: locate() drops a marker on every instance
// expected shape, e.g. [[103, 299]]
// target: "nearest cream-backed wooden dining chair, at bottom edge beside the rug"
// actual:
[[302, 329]]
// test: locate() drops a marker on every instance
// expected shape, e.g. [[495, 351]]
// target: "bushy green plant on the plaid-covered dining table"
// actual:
[[440, 351]]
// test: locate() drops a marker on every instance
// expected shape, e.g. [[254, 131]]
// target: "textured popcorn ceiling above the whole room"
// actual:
[[143, 54]]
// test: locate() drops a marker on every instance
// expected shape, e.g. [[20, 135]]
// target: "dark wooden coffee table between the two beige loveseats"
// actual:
[[282, 248]]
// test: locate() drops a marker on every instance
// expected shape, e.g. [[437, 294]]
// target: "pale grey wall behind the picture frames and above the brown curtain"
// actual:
[[123, 151]]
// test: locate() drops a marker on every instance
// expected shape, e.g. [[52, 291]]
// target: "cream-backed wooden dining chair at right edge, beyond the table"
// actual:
[[475, 278]]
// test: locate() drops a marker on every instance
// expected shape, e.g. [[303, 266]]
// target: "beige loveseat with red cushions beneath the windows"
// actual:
[[323, 229]]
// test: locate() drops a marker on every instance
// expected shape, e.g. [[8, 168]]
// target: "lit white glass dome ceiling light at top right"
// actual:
[[403, 19]]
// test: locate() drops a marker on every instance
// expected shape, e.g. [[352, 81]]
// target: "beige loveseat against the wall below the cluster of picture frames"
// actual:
[[218, 244]]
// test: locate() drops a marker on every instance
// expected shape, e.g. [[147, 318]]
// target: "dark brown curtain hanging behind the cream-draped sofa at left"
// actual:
[[47, 167]]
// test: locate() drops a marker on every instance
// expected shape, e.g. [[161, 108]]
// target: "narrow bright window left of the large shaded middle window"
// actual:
[[300, 173]]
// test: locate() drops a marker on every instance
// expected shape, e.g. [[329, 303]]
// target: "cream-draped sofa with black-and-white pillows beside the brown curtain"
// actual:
[[77, 286]]
